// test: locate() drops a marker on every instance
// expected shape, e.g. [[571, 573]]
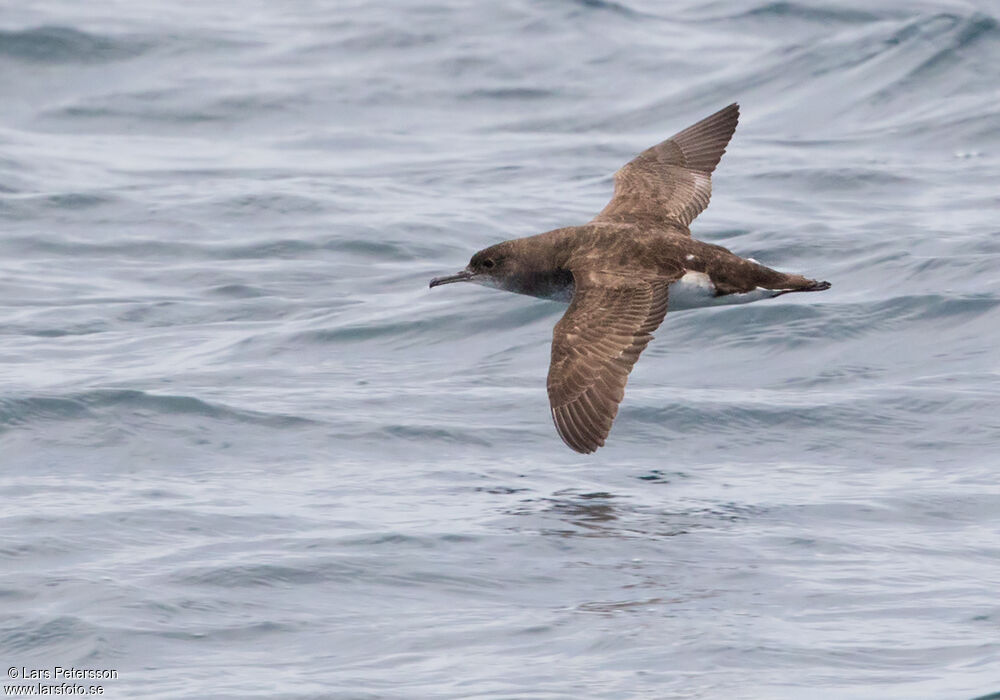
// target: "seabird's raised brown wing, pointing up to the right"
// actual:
[[672, 181]]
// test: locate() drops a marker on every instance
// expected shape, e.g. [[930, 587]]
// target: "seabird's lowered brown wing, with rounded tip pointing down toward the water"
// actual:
[[594, 346]]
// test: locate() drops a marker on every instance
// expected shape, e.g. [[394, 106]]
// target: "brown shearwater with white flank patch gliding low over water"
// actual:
[[622, 271]]
